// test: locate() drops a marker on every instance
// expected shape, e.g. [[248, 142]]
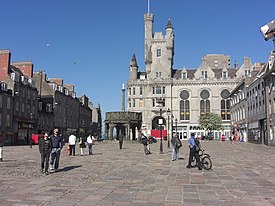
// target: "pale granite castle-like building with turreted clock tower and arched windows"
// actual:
[[185, 93]]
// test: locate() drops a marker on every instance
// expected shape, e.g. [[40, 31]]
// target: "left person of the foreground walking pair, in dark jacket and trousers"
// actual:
[[45, 147]]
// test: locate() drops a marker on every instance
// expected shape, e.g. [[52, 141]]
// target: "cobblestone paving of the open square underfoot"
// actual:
[[243, 174]]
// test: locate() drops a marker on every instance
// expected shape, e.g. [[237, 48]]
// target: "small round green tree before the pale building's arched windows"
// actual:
[[211, 122]]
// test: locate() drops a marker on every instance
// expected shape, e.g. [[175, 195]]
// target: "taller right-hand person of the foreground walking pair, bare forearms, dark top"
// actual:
[[56, 141]]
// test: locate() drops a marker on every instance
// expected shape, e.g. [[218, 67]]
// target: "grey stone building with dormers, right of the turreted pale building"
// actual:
[[248, 107]]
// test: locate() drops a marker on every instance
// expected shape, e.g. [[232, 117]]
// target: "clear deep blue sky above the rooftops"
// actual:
[[89, 43]]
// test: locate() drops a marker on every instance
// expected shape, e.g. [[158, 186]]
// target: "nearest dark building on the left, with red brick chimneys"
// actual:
[[18, 77]]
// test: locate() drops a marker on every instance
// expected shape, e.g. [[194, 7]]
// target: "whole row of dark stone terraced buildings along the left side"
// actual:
[[31, 103]]
